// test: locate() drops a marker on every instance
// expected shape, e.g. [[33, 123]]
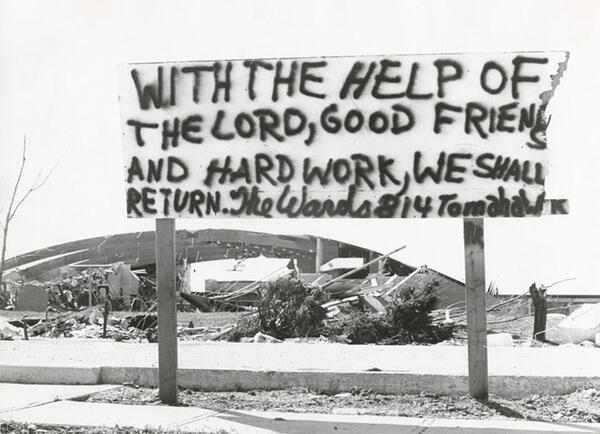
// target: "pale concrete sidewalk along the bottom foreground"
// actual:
[[188, 419]]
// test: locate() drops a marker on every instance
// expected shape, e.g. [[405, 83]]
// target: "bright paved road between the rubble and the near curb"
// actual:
[[442, 360]]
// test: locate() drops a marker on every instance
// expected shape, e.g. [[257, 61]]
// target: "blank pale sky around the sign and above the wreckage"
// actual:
[[58, 86]]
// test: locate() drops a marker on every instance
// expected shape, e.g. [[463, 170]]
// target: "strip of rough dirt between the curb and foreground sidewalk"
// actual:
[[581, 406]]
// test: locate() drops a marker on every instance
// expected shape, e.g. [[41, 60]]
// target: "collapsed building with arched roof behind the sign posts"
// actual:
[[229, 265]]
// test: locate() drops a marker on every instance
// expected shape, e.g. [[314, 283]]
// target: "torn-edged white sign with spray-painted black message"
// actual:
[[450, 135]]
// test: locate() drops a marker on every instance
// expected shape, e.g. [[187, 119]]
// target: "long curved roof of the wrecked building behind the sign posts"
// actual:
[[138, 249]]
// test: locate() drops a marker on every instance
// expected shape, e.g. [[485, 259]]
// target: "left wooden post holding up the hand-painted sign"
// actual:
[[167, 310]]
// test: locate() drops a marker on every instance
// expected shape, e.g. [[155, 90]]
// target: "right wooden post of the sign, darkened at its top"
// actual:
[[475, 299]]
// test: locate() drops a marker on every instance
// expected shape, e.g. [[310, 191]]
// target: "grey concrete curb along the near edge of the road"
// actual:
[[219, 380]]
